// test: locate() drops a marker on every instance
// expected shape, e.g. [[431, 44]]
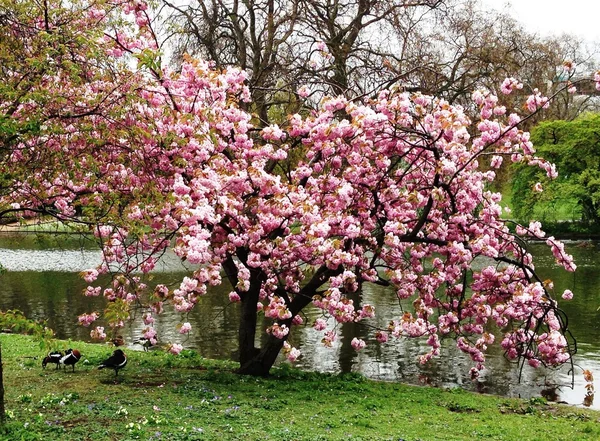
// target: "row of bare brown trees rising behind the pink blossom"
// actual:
[[352, 48]]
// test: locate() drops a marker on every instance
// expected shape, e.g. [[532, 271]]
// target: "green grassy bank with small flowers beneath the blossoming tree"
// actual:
[[162, 397]]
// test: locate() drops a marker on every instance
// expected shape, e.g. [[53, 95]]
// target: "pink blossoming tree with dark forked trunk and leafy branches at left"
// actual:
[[388, 189]]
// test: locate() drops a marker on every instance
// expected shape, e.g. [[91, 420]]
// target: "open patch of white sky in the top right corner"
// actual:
[[548, 17]]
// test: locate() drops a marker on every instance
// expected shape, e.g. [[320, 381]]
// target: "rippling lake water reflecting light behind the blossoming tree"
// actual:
[[42, 280]]
